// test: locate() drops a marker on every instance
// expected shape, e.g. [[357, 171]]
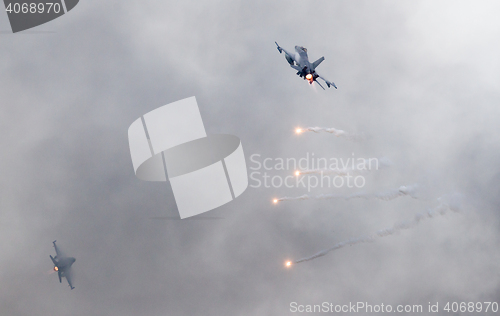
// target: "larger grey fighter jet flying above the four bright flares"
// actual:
[[299, 61]]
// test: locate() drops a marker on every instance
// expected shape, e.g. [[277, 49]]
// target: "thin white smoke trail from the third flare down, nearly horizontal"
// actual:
[[410, 190]]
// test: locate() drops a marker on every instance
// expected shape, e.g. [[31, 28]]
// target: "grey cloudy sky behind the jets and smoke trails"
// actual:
[[420, 79]]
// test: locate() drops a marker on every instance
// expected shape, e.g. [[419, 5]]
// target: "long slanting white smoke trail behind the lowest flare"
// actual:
[[441, 209]]
